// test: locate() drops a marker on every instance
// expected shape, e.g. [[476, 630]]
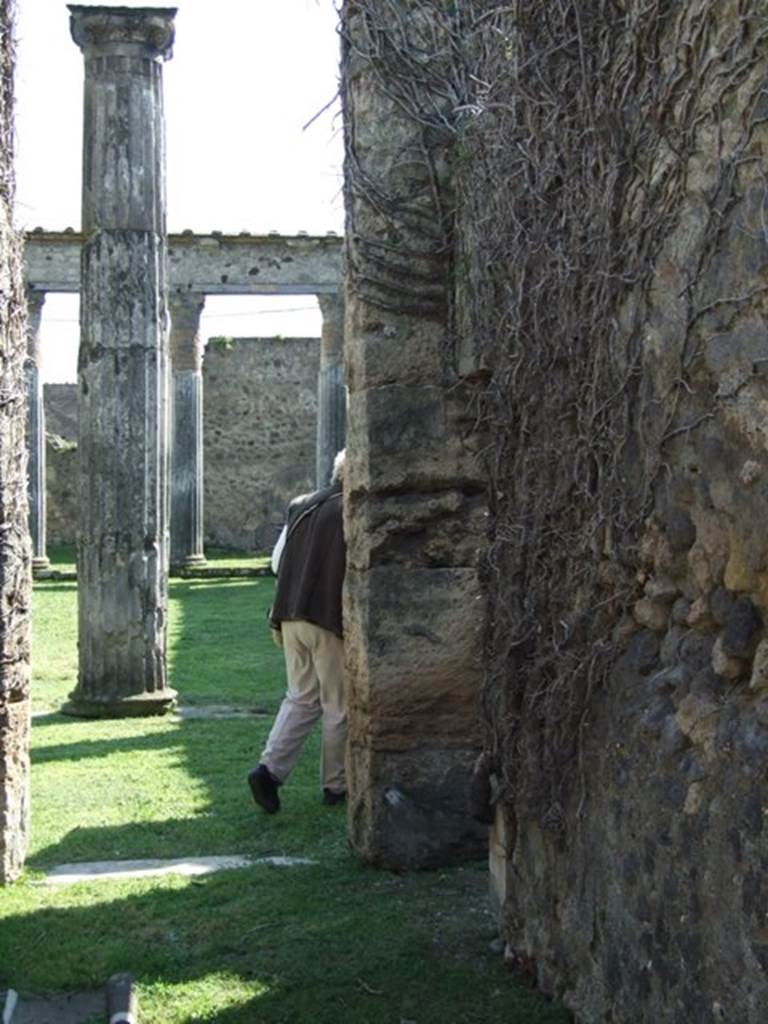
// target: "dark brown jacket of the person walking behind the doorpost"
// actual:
[[312, 570]]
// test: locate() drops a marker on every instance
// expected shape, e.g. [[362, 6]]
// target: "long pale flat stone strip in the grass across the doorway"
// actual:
[[100, 871]]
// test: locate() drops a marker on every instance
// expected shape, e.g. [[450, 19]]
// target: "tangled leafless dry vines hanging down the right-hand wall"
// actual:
[[571, 127]]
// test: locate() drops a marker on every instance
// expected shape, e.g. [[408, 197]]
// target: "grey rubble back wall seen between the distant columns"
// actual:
[[261, 402]]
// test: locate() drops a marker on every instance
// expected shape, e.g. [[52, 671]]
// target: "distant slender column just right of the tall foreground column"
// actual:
[[187, 431]]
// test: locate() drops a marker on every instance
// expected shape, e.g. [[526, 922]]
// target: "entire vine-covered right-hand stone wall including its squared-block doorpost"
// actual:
[[610, 272]]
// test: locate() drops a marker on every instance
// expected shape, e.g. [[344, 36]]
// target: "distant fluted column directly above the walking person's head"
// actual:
[[332, 396]]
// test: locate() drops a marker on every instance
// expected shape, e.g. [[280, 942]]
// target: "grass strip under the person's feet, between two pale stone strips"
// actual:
[[185, 790]]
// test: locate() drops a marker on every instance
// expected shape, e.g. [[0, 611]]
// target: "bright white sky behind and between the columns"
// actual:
[[245, 78]]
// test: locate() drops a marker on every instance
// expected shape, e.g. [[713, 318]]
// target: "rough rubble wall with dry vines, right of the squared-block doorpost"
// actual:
[[615, 294]]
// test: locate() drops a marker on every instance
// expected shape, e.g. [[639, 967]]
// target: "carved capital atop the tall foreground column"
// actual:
[[145, 32]]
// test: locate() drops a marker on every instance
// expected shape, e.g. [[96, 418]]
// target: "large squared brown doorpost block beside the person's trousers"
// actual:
[[414, 657]]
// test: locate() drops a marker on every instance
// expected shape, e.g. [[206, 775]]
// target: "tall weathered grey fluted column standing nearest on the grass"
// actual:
[[123, 366]]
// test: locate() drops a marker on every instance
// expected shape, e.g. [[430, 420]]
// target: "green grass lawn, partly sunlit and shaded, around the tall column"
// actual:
[[332, 943]]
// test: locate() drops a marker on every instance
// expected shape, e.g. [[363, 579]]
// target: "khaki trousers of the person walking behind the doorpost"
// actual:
[[315, 666]]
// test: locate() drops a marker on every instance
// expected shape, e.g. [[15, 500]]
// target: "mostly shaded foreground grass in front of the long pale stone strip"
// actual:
[[338, 945]]
